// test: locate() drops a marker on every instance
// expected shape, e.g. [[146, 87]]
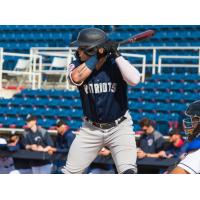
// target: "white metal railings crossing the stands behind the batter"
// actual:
[[156, 62]]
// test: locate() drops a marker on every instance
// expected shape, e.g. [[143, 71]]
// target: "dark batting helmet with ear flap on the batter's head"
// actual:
[[90, 38]]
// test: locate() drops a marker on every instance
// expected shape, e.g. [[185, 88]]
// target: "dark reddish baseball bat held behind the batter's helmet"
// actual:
[[139, 37]]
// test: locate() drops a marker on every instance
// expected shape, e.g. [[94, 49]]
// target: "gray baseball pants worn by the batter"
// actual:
[[90, 140]]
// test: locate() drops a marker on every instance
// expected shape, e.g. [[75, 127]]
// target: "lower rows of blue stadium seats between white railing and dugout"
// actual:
[[152, 100]]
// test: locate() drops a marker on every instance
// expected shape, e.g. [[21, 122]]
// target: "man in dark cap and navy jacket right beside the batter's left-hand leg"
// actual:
[[63, 141]]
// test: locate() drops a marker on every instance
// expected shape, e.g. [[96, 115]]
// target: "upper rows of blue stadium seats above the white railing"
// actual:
[[22, 37]]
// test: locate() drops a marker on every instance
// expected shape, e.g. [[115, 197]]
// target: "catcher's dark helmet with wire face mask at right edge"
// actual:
[[192, 123]]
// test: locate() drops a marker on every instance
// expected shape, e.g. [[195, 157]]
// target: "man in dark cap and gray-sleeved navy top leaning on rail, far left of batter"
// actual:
[[37, 139]]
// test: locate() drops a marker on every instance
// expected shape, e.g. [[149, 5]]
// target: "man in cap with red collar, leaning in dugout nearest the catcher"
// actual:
[[177, 145]]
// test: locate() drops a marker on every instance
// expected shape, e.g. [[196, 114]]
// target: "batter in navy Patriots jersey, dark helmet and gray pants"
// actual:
[[102, 75]]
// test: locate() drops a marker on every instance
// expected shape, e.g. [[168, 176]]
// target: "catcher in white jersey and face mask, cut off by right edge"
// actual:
[[191, 163]]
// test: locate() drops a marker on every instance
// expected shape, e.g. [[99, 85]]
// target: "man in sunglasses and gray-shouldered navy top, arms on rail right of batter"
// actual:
[[151, 142]]
